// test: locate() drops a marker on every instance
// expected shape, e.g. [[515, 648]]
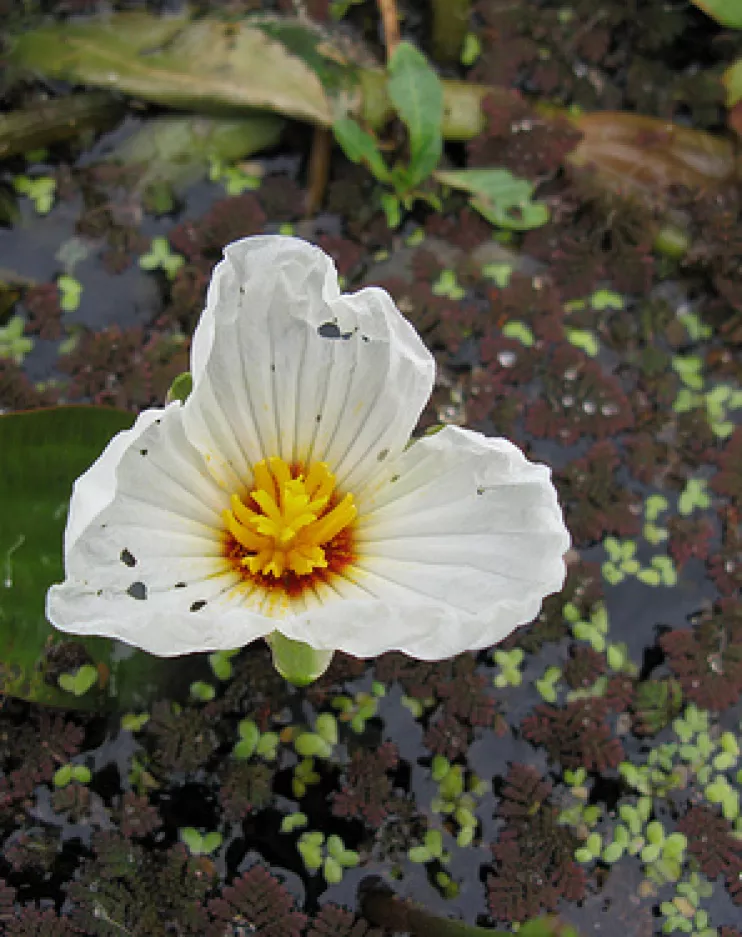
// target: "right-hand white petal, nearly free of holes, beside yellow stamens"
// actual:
[[454, 553]]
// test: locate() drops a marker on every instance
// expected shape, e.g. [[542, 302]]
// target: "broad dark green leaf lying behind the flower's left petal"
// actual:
[[43, 452]]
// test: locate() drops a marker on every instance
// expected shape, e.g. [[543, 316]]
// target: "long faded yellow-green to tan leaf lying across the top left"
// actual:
[[191, 64]]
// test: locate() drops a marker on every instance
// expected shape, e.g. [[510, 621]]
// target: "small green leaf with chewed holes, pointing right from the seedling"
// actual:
[[502, 198]]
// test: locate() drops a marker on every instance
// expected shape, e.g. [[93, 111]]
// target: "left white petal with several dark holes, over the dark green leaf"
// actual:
[[144, 562]]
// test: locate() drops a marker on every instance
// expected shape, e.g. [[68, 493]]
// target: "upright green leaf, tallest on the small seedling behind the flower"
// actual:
[[417, 95]]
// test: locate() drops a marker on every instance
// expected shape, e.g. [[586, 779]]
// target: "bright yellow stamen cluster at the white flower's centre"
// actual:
[[290, 523]]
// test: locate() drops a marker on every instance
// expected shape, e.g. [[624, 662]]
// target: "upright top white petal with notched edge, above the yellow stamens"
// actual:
[[284, 365]]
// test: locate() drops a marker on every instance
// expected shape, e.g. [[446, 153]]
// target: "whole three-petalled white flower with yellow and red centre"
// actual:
[[284, 496]]
